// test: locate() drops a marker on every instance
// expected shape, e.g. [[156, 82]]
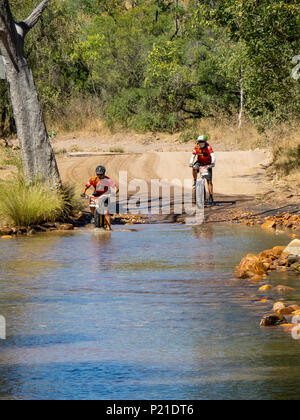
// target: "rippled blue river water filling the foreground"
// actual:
[[151, 313]]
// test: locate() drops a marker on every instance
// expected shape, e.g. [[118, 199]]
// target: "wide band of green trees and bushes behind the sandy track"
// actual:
[[159, 64]]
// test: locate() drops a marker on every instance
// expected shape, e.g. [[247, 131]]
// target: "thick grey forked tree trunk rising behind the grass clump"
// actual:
[[37, 153]]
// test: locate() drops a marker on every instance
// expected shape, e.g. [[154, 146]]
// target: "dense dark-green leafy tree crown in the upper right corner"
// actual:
[[269, 34]]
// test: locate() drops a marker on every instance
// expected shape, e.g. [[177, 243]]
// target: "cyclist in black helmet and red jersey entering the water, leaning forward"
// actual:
[[101, 184]]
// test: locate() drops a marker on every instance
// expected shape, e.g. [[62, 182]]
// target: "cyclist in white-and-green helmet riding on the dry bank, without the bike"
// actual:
[[205, 157]]
